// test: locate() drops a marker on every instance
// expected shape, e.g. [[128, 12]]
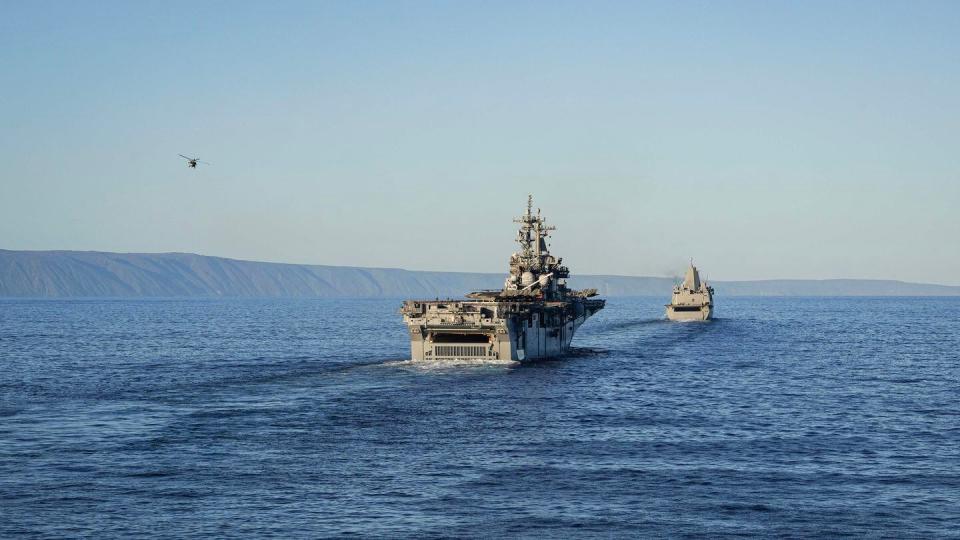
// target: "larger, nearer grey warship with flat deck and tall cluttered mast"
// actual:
[[534, 316]]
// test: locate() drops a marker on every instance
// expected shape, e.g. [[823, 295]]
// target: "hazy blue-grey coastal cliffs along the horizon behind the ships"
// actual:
[[86, 274]]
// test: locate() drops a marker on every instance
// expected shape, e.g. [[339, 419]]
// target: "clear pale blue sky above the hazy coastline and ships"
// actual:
[[764, 140]]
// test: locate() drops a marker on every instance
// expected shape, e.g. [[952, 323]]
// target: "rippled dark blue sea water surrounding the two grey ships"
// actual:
[[785, 417]]
